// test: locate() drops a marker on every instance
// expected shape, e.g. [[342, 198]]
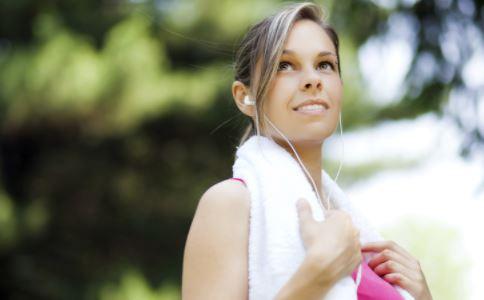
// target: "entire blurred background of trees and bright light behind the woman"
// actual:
[[116, 116]]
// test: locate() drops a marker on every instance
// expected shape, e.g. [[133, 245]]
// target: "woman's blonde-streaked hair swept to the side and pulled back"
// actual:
[[264, 42]]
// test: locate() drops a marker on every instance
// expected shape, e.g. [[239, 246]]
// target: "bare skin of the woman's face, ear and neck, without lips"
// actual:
[[303, 75]]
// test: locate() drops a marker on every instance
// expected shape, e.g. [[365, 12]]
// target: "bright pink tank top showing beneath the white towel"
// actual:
[[372, 286]]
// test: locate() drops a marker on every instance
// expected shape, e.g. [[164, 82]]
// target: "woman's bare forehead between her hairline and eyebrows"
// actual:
[[307, 37]]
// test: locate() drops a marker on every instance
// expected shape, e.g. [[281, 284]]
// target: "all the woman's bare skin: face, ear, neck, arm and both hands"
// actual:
[[213, 251]]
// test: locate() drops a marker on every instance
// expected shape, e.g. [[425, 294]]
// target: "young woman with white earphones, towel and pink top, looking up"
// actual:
[[250, 236]]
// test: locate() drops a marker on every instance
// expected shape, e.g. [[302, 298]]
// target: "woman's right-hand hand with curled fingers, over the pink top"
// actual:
[[398, 267]]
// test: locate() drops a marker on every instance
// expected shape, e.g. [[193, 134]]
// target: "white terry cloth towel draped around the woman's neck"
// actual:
[[275, 182]]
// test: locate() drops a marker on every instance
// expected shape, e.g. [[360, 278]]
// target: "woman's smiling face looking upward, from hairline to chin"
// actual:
[[308, 73]]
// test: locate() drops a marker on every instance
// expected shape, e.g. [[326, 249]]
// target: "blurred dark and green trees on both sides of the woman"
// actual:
[[109, 110]]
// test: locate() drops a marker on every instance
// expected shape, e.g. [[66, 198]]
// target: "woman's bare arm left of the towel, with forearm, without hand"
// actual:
[[215, 260]]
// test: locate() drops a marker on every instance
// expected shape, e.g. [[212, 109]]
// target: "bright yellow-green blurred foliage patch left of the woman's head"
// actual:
[[113, 89]]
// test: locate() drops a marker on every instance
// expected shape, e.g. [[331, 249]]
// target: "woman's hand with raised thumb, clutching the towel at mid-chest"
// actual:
[[332, 245]]
